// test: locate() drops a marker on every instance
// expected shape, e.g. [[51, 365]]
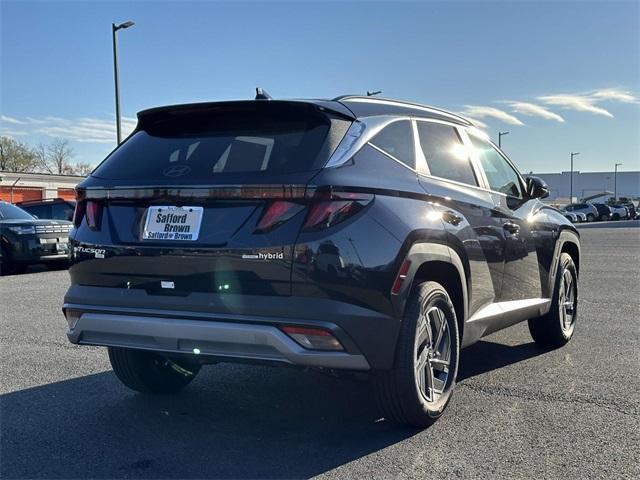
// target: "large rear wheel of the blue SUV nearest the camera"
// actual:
[[397, 391]]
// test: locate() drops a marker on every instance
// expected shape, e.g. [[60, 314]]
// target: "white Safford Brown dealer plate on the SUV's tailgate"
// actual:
[[173, 223]]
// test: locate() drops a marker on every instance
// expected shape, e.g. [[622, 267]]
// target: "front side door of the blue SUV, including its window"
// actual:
[[522, 221]]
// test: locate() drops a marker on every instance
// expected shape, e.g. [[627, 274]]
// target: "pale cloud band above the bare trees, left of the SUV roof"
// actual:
[[83, 130]]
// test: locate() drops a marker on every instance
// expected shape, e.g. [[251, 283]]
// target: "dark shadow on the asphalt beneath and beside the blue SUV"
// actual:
[[234, 421]]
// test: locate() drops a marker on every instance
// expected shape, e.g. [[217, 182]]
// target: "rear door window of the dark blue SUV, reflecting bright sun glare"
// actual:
[[445, 153]]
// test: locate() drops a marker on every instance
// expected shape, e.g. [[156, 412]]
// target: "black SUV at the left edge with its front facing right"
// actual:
[[26, 240]]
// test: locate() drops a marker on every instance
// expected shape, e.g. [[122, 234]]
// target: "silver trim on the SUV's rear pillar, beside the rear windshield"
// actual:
[[358, 135]]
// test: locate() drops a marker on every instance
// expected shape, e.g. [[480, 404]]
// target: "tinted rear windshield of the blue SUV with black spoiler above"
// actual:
[[248, 138]]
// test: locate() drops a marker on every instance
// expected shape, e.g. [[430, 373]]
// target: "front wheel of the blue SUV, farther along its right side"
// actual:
[[551, 330]]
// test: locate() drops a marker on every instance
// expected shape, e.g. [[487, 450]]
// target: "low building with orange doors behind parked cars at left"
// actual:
[[17, 187]]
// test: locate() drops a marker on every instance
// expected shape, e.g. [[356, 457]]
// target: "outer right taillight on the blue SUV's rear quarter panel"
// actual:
[[334, 210]]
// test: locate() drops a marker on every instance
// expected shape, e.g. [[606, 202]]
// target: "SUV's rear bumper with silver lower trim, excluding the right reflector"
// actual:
[[232, 326]]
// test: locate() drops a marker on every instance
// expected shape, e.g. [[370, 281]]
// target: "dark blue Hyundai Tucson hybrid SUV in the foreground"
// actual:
[[354, 234]]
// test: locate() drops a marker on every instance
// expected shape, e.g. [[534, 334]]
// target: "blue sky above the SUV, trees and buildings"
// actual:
[[560, 76]]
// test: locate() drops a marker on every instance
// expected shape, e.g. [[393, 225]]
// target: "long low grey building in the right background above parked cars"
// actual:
[[587, 184]]
